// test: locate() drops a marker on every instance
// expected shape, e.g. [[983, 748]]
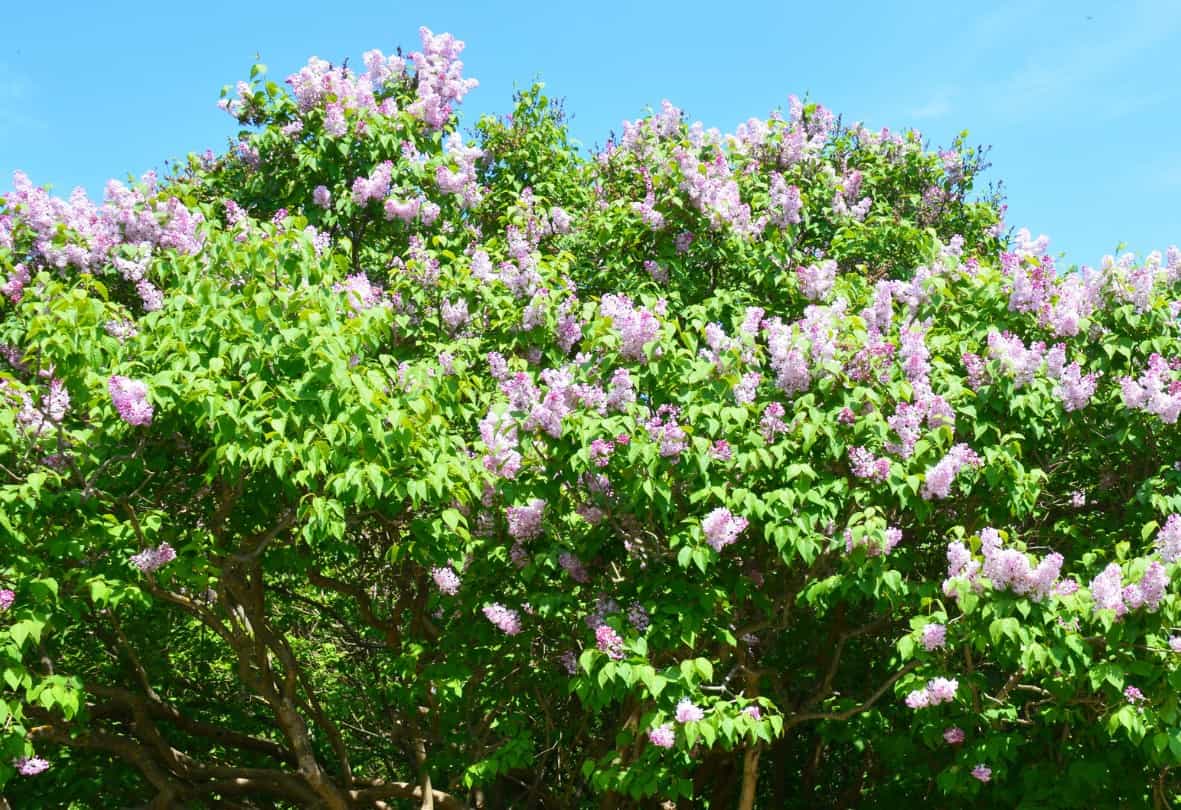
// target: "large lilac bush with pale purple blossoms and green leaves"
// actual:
[[370, 463]]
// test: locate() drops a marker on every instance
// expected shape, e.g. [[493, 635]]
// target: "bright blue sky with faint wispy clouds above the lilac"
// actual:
[[1080, 100]]
